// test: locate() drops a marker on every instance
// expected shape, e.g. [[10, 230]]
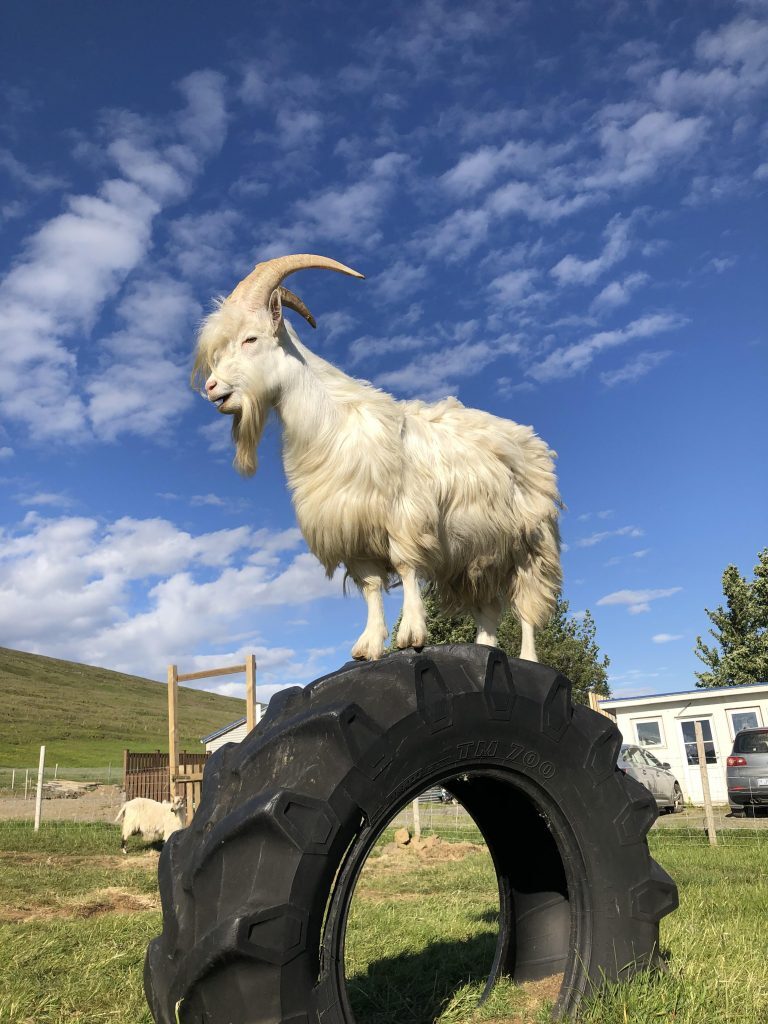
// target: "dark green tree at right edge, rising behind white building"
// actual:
[[741, 630]]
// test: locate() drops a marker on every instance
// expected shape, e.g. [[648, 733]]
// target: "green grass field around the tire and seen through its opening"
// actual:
[[77, 919]]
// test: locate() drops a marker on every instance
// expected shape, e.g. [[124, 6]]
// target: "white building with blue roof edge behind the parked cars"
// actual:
[[665, 724]]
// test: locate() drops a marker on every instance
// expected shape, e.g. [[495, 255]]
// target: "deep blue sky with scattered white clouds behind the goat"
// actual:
[[561, 214]]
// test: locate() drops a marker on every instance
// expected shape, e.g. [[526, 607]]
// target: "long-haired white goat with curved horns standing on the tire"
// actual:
[[458, 498]]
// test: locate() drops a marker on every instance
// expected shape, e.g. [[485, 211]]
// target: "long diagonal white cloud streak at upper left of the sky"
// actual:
[[80, 259]]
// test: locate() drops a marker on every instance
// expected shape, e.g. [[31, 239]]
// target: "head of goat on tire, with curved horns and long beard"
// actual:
[[244, 350]]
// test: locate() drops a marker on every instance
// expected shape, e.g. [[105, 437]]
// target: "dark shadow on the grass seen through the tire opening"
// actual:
[[414, 989]]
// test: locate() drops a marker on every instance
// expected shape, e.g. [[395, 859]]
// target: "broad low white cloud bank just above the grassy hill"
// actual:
[[137, 594]]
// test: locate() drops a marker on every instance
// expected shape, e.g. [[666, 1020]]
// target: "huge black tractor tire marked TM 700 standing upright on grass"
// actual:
[[255, 892]]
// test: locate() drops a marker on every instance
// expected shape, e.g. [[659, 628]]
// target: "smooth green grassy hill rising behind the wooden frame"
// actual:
[[88, 716]]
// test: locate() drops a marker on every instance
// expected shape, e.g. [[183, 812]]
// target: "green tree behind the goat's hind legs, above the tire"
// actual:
[[566, 644]]
